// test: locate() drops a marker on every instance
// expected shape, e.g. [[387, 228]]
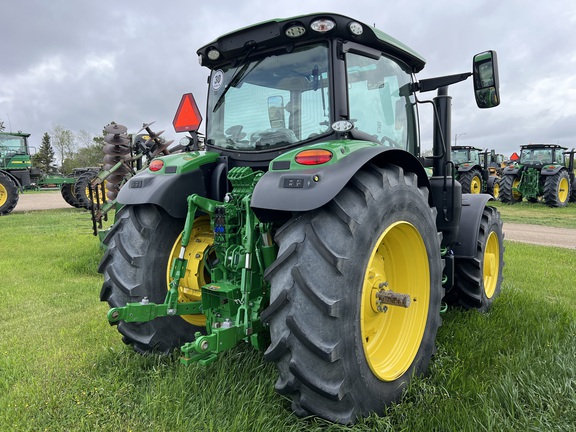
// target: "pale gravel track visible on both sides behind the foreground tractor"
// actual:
[[535, 234]]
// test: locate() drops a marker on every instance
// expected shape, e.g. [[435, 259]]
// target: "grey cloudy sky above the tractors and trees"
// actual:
[[82, 64]]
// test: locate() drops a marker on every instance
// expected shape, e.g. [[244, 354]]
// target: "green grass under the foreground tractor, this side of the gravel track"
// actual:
[[63, 368]]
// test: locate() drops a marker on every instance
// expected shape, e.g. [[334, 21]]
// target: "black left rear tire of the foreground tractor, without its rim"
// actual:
[[135, 266]]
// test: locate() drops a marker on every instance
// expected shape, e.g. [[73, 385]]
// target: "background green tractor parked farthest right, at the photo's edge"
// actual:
[[543, 171]]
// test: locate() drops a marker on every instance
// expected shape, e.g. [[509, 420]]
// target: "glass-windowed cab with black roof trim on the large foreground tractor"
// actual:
[[284, 88]]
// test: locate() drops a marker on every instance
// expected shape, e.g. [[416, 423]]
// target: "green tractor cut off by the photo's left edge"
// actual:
[[17, 174]]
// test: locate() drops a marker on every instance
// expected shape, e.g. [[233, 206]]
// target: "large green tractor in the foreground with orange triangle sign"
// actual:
[[307, 226]]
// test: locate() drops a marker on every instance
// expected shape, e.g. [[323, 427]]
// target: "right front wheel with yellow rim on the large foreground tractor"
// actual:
[[478, 280]]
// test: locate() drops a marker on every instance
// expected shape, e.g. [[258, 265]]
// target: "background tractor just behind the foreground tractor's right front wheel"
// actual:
[[475, 170]]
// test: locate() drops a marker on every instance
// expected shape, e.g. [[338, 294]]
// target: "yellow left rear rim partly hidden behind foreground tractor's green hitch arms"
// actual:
[[196, 275]]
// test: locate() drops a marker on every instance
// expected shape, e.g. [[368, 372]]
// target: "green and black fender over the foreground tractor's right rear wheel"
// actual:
[[291, 187]]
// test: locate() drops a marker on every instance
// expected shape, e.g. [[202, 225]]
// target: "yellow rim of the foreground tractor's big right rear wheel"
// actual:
[[391, 335]]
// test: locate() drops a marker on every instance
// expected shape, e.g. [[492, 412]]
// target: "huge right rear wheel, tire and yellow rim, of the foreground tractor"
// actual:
[[340, 353]]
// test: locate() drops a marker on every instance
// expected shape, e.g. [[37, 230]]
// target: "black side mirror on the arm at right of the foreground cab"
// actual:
[[486, 83]]
